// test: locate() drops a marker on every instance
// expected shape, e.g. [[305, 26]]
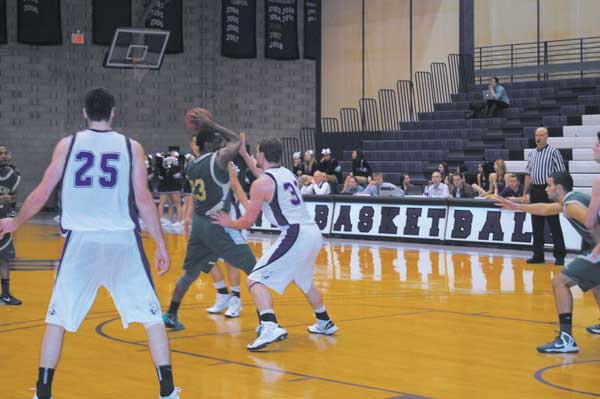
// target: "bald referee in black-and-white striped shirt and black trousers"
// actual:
[[543, 162]]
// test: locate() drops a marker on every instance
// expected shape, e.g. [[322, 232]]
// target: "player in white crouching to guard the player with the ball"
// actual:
[[292, 257]]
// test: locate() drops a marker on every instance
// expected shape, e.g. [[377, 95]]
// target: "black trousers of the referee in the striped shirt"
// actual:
[[538, 195]]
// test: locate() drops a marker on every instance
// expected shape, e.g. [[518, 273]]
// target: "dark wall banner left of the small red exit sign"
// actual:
[[38, 22]]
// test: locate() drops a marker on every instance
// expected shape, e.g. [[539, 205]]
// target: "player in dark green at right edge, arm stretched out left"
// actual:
[[584, 271]]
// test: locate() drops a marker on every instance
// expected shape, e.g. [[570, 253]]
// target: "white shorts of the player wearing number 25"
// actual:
[[113, 259]]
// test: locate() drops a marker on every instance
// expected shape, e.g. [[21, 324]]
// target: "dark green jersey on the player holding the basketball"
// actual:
[[210, 184]]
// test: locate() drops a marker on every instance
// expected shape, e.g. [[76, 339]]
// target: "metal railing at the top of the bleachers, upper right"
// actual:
[[545, 60]]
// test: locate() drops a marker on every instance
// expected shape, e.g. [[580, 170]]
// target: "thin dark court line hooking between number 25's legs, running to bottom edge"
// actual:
[[100, 331]]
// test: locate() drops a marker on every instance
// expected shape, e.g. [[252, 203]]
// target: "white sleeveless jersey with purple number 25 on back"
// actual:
[[96, 192]]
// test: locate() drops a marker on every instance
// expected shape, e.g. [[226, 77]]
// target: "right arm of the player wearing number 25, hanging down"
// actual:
[[147, 209]]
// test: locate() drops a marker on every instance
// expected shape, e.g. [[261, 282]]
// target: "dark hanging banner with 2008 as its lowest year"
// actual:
[[281, 29]]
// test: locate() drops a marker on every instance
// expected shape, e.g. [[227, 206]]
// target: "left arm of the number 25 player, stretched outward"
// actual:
[[39, 196]]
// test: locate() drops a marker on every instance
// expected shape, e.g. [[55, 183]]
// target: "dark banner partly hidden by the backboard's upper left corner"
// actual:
[[107, 16]]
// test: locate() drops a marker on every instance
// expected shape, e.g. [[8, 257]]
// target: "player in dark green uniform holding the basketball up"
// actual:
[[210, 180]]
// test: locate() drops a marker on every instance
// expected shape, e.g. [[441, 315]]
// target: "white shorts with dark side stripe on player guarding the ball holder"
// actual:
[[291, 258]]
